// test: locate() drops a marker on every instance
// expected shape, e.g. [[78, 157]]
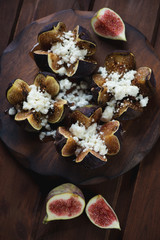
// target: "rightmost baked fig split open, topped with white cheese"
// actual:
[[122, 90]]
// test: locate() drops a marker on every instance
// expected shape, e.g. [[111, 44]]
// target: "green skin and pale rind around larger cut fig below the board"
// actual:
[[58, 193]]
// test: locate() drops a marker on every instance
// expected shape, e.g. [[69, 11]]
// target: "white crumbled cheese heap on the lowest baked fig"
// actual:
[[88, 138]]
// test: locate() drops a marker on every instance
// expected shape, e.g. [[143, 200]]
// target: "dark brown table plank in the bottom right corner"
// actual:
[[145, 202]]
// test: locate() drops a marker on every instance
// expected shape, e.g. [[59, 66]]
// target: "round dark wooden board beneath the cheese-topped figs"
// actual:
[[139, 136]]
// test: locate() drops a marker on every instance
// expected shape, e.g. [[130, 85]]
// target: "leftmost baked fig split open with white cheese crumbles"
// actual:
[[36, 103]]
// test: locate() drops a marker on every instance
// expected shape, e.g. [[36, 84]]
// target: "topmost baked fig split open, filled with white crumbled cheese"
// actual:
[[65, 52]]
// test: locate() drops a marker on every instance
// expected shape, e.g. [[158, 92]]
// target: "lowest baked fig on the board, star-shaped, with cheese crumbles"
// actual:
[[87, 140]]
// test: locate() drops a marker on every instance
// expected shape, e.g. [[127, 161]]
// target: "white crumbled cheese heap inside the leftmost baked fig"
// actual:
[[38, 100]]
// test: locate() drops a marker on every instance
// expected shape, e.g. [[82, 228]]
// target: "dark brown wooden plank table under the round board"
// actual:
[[134, 196]]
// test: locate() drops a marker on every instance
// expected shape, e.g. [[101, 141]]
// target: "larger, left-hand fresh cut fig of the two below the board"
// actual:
[[64, 202]]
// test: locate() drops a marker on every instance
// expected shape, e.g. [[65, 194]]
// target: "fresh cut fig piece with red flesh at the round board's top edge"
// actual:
[[108, 24]]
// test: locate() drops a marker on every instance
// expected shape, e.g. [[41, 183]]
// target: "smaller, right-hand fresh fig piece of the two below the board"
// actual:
[[101, 214]]
